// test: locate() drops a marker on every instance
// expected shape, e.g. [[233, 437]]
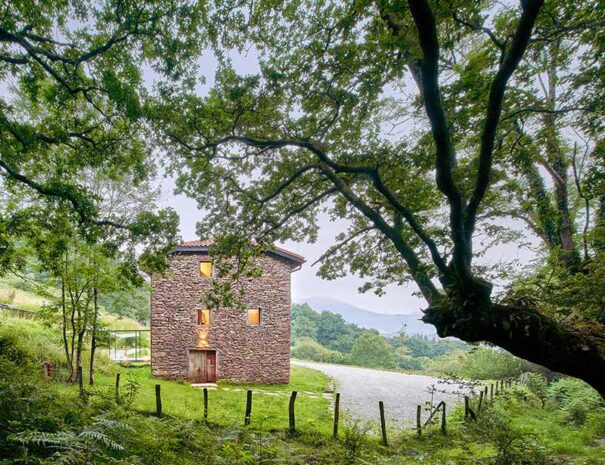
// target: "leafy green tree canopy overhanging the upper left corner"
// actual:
[[72, 108]]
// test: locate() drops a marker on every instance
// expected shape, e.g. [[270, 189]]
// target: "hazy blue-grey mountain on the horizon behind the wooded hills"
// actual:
[[386, 324]]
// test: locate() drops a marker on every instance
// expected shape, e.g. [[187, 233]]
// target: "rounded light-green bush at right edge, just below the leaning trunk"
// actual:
[[575, 400]]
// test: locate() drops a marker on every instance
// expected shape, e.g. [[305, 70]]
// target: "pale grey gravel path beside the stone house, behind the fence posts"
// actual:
[[361, 389]]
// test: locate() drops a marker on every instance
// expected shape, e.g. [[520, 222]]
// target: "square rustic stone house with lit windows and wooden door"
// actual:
[[251, 344]]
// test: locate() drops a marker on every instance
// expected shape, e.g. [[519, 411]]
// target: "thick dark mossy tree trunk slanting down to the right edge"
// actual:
[[526, 333]]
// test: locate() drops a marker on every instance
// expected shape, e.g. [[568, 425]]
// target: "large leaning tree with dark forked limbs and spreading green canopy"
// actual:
[[418, 123]]
